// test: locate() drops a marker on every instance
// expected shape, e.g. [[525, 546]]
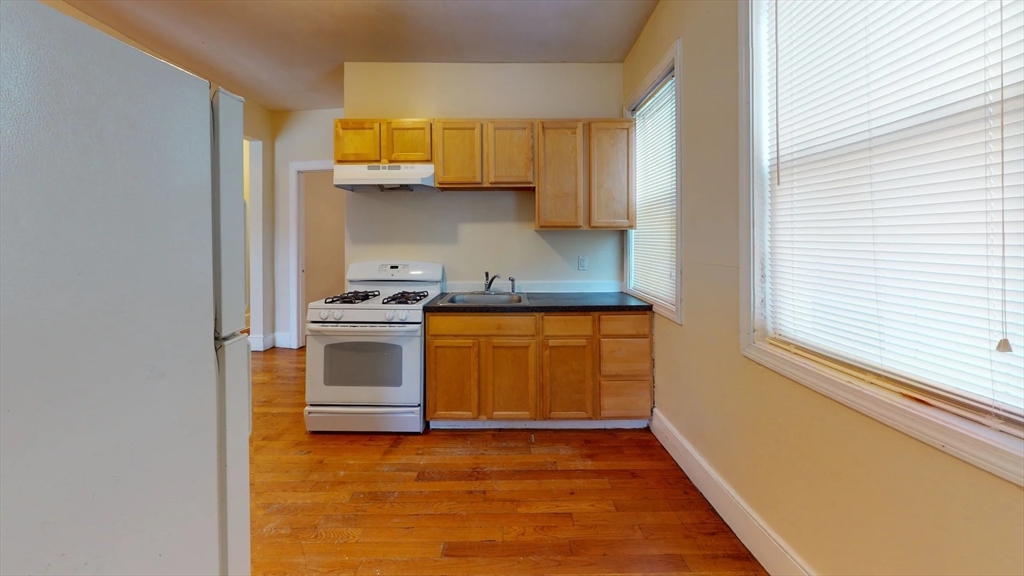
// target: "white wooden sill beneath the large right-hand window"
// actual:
[[997, 452]]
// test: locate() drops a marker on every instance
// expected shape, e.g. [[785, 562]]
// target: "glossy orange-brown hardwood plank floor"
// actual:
[[470, 503]]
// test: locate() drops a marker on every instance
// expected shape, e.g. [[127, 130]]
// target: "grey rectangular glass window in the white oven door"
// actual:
[[363, 364]]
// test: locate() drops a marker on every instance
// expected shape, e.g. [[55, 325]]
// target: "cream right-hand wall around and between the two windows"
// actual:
[[850, 496]]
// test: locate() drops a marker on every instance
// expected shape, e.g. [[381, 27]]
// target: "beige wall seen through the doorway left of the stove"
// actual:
[[325, 235]]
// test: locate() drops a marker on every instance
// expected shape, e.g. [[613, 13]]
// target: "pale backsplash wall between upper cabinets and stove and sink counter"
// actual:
[[473, 232]]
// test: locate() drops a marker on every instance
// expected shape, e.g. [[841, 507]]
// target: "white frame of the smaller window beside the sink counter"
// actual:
[[670, 65]]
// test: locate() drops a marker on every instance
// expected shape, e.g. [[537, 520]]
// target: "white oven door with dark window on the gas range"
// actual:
[[365, 365]]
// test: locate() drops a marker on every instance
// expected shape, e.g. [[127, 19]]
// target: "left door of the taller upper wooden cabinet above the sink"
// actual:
[[561, 176]]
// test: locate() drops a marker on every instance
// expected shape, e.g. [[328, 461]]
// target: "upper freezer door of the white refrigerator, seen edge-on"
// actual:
[[229, 216]]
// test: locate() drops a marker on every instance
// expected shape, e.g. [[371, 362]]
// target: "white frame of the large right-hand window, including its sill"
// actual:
[[995, 451]]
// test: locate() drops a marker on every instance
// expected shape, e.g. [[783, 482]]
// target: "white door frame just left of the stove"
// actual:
[[296, 337]]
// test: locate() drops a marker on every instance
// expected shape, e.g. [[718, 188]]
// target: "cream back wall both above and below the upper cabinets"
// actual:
[[473, 232]]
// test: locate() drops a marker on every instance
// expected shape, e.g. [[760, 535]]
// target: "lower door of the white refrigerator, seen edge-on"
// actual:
[[236, 409]]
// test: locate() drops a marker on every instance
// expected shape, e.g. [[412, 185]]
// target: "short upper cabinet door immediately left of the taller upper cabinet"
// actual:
[[509, 152]]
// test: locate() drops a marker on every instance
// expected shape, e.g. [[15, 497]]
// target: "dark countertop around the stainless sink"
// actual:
[[551, 302]]
